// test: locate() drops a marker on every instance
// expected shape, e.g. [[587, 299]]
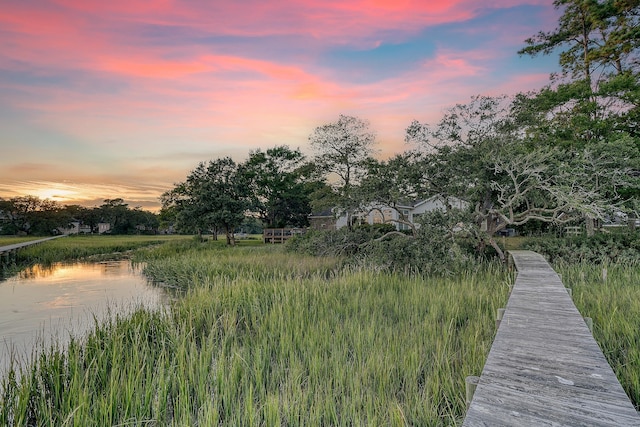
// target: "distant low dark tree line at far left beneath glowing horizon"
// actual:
[[30, 215]]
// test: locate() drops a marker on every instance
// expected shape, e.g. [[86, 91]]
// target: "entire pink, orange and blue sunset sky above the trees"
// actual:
[[122, 99]]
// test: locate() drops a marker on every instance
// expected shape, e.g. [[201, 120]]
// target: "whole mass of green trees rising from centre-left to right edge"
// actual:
[[567, 153]]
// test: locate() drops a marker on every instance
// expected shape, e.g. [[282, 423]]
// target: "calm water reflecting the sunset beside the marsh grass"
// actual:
[[41, 304]]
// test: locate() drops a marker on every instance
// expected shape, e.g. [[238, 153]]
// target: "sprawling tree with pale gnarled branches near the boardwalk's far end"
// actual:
[[510, 182]]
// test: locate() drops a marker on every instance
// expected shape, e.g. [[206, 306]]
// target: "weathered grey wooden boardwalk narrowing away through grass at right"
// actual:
[[544, 367]]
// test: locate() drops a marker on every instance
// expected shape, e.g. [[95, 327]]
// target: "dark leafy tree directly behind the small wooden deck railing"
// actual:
[[278, 188]]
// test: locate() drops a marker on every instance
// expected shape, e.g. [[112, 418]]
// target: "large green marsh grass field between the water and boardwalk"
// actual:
[[262, 337]]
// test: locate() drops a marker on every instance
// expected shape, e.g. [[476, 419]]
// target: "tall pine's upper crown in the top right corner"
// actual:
[[597, 93]]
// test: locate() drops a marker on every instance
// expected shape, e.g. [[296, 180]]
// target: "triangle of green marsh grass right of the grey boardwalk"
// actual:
[[614, 306]]
